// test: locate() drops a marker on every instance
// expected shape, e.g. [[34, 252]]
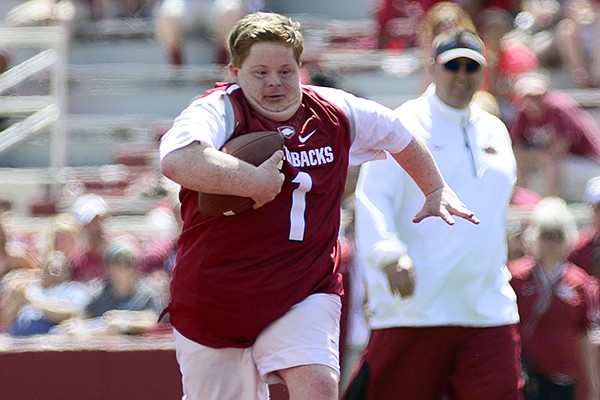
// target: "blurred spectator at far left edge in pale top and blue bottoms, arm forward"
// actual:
[[33, 304]]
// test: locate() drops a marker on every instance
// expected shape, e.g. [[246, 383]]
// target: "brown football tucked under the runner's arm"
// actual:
[[254, 148]]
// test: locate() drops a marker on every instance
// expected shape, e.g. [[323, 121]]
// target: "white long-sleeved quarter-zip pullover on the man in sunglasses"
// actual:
[[461, 277]]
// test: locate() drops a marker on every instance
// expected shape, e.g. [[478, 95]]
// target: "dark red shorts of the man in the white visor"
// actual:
[[431, 362]]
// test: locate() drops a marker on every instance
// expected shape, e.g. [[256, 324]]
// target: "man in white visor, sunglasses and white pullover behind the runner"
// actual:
[[443, 314]]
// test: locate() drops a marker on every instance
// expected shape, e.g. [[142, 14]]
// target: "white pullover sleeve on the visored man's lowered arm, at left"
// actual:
[[378, 198]]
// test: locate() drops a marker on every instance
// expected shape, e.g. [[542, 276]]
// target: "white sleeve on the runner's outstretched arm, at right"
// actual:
[[377, 127]]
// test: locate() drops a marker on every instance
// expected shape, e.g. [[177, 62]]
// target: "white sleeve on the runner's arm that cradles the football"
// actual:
[[204, 120]]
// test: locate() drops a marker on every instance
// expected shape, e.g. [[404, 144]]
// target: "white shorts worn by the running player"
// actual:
[[308, 334]]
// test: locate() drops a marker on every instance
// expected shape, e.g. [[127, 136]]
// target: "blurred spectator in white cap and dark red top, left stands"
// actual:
[[90, 211]]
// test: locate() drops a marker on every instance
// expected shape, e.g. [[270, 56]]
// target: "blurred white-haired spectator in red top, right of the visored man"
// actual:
[[558, 304]]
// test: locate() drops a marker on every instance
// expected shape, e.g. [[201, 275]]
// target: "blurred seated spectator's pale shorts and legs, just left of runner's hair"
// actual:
[[215, 18]]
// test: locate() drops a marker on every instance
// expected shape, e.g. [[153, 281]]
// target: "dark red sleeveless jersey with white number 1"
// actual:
[[236, 275]]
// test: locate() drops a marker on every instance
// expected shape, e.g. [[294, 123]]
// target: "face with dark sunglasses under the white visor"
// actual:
[[457, 81]]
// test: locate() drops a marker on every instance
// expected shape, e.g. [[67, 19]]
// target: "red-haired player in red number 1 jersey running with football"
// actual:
[[255, 297]]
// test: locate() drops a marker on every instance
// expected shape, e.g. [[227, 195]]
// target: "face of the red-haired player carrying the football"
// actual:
[[270, 79]]
